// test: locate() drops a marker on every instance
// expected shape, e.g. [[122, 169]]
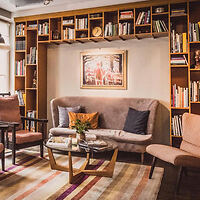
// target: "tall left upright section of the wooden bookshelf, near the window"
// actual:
[[30, 67]]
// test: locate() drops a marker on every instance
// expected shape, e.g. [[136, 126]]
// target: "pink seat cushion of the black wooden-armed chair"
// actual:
[[24, 136]]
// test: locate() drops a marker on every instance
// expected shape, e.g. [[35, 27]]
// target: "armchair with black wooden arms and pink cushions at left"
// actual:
[[19, 134]]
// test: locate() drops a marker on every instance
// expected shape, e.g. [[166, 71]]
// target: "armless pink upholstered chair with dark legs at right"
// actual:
[[189, 153]]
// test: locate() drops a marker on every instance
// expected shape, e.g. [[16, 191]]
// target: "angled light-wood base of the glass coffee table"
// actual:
[[74, 173]]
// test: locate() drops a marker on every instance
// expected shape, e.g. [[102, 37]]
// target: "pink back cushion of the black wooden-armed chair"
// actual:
[[9, 110]]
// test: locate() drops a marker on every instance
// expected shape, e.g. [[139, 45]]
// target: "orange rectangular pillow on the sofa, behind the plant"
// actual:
[[92, 118]]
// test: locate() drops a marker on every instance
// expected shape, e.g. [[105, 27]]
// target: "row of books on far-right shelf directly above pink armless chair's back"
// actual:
[[195, 91]]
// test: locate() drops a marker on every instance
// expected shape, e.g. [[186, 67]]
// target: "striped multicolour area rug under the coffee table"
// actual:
[[31, 178]]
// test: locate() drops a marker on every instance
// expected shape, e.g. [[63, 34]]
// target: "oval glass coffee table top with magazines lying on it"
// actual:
[[65, 144]]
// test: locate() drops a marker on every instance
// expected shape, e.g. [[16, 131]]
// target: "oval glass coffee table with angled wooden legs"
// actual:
[[74, 173]]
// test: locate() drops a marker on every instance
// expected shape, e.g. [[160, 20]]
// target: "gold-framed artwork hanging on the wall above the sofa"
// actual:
[[103, 69]]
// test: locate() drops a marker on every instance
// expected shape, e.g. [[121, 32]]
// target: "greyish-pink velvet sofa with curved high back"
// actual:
[[112, 116]]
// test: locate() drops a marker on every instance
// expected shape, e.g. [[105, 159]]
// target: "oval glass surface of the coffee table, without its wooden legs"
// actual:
[[85, 147]]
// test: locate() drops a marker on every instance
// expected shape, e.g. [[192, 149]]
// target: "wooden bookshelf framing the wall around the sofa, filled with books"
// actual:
[[177, 20]]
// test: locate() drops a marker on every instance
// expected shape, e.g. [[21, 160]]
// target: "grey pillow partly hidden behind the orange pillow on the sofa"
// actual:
[[64, 117]]
